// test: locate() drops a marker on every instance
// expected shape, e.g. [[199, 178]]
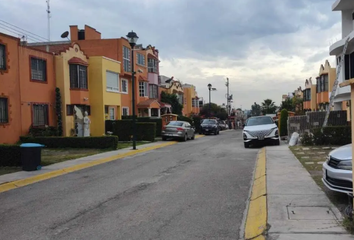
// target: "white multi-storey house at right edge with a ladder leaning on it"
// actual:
[[342, 96]]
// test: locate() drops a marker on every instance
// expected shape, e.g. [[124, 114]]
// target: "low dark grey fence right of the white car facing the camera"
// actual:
[[305, 123]]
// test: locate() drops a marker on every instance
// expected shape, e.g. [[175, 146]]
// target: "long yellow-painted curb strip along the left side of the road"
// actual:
[[30, 180]]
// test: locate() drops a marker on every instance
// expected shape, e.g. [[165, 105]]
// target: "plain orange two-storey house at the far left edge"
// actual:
[[27, 89]]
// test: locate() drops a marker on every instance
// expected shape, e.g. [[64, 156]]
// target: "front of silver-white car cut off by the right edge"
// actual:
[[337, 170]]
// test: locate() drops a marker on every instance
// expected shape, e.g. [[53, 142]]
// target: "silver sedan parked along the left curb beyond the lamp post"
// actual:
[[178, 129]]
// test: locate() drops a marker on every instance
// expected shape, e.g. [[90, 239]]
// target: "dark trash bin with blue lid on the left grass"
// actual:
[[31, 156]]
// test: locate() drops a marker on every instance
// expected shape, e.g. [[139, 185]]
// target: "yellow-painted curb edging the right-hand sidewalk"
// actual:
[[256, 219]]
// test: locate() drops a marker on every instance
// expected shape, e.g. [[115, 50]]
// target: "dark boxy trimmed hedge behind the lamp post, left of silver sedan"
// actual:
[[145, 131]]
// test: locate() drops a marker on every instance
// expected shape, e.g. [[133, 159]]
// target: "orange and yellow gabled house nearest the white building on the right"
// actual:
[[324, 85]]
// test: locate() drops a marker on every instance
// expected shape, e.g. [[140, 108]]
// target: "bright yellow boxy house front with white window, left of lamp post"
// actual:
[[105, 92]]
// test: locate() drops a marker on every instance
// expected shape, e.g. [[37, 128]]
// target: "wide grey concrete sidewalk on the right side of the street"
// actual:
[[297, 207]]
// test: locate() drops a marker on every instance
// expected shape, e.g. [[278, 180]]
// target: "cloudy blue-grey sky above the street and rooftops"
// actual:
[[266, 48]]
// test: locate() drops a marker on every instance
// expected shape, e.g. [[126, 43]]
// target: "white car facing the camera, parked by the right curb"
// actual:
[[260, 129]]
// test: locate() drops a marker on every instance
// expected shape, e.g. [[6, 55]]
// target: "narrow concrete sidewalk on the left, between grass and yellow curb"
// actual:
[[72, 163]]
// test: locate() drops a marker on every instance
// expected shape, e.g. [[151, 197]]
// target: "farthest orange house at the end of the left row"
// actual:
[[191, 106]]
